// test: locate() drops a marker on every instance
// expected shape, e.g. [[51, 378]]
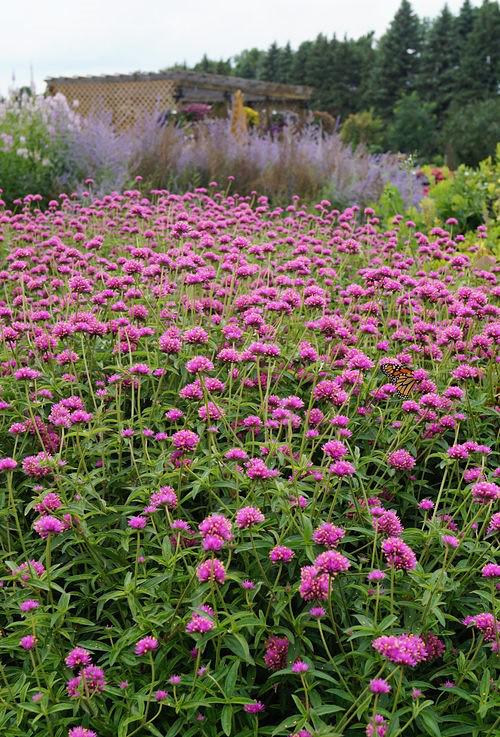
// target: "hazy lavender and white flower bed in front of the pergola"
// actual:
[[46, 147]]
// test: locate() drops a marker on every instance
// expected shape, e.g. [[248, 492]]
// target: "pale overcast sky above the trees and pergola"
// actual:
[[74, 37]]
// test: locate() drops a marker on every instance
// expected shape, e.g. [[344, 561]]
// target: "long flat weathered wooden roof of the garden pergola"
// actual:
[[200, 80]]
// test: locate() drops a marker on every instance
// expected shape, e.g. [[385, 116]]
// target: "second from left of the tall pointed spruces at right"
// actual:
[[439, 62]]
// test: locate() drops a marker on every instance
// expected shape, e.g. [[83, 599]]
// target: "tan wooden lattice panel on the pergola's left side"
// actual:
[[126, 100]]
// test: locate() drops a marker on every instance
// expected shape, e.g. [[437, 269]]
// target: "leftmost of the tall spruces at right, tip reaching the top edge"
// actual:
[[396, 67]]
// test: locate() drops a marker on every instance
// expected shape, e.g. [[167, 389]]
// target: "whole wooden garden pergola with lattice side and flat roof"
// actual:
[[128, 96]]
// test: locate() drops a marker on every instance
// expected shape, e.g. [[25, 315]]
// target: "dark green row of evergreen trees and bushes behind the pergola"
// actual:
[[429, 87]]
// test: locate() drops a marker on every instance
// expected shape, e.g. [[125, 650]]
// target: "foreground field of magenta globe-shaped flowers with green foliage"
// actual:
[[248, 482]]
